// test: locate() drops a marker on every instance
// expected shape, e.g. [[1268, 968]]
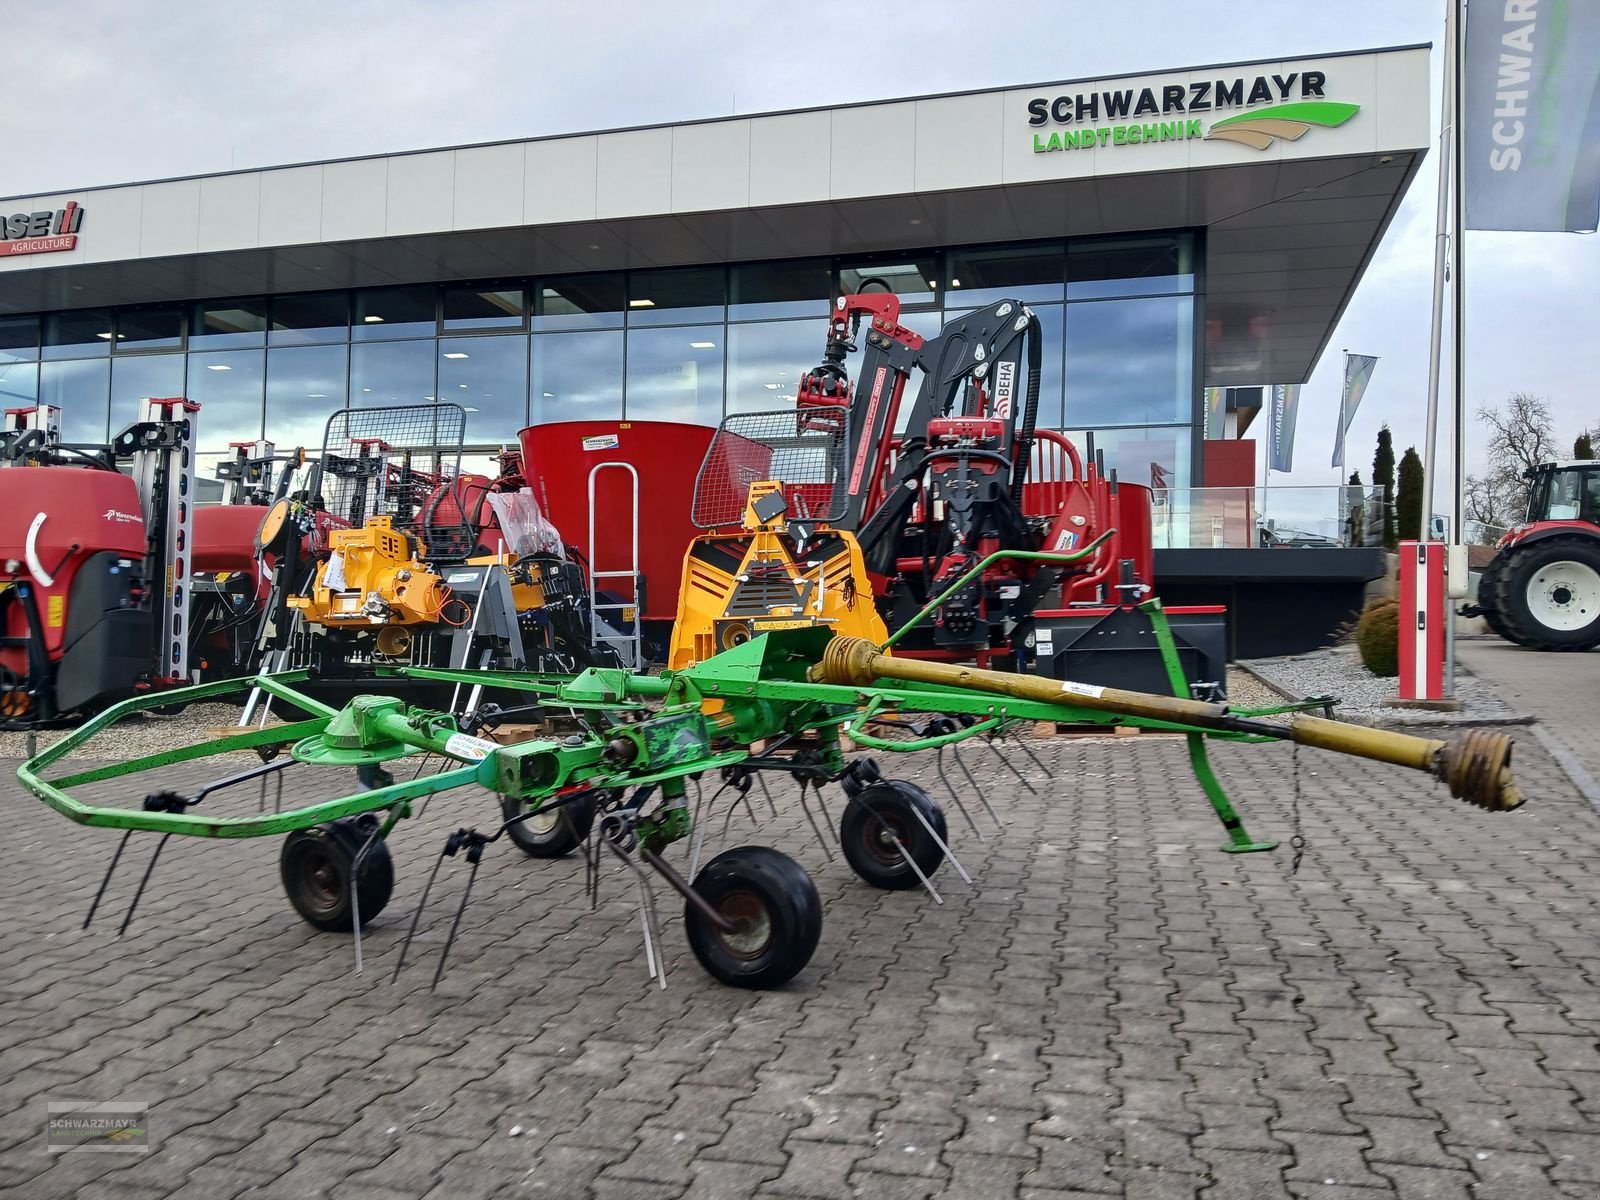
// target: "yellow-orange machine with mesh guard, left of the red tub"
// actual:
[[417, 564]]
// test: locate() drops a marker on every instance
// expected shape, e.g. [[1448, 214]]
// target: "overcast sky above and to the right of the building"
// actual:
[[105, 94]]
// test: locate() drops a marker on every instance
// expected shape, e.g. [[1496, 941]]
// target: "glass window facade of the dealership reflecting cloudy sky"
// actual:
[[678, 345]]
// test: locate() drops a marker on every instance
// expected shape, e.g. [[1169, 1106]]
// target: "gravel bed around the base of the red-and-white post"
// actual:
[[1362, 695]]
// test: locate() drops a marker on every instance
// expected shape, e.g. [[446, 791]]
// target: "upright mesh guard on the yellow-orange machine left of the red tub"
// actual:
[[402, 463]]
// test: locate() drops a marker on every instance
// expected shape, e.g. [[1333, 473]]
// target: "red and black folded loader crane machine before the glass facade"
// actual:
[[969, 478]]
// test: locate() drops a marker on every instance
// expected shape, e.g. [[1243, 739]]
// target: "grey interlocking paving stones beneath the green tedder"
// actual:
[[1114, 1010]]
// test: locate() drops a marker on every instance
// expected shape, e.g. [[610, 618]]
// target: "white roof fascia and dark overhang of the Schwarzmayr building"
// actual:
[[1289, 228]]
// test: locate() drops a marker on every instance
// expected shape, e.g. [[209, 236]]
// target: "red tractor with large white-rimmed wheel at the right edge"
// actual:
[[1543, 586]]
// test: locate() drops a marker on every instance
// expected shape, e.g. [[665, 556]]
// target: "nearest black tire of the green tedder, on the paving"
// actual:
[[780, 911]]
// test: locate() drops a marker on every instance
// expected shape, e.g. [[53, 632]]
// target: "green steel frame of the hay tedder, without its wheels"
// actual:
[[642, 730]]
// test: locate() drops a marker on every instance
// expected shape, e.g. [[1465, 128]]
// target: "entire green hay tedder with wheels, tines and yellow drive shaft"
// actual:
[[620, 783]]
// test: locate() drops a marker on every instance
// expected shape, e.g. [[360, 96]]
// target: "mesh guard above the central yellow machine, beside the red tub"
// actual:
[[804, 450]]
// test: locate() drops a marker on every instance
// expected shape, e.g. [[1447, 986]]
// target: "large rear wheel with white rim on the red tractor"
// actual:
[[1548, 594]]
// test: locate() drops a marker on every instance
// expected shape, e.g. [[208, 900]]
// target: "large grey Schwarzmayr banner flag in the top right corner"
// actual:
[[1534, 116]]
